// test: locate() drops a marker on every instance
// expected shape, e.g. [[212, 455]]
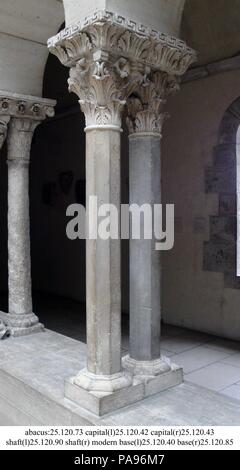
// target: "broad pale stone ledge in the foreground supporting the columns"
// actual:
[[32, 374]]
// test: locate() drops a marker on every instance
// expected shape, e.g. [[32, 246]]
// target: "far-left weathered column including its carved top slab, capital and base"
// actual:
[[25, 113]]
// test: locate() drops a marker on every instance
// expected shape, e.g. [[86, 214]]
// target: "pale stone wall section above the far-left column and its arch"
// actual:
[[25, 26]]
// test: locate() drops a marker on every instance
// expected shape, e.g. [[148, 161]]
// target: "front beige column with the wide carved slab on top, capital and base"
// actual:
[[109, 57]]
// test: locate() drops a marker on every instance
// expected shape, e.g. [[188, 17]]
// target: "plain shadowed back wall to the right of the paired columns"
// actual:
[[200, 289]]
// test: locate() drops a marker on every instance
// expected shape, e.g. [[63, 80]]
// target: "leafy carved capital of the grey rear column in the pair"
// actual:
[[145, 106]]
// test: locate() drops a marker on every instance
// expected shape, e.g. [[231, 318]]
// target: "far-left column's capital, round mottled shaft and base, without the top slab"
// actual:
[[21, 318]]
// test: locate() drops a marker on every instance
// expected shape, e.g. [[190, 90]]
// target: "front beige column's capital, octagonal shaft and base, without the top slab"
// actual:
[[100, 89]]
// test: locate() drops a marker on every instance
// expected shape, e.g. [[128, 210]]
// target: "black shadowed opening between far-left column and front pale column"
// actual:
[[57, 179]]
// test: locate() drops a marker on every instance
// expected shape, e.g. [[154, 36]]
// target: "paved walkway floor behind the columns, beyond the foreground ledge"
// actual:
[[208, 361]]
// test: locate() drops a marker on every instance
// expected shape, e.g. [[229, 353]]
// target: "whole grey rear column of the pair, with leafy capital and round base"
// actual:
[[145, 120]]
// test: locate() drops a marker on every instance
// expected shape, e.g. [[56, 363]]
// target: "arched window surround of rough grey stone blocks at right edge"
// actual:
[[220, 252]]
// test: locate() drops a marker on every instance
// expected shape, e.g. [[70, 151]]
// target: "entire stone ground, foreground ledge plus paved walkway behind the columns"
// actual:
[[210, 394]]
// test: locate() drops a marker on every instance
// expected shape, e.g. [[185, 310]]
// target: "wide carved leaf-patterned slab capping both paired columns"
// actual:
[[124, 36]]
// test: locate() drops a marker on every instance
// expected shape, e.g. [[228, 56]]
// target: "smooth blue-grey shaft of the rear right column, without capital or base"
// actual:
[[145, 268]]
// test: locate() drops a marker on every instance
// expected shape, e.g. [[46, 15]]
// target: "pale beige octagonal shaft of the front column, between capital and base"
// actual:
[[103, 257]]
